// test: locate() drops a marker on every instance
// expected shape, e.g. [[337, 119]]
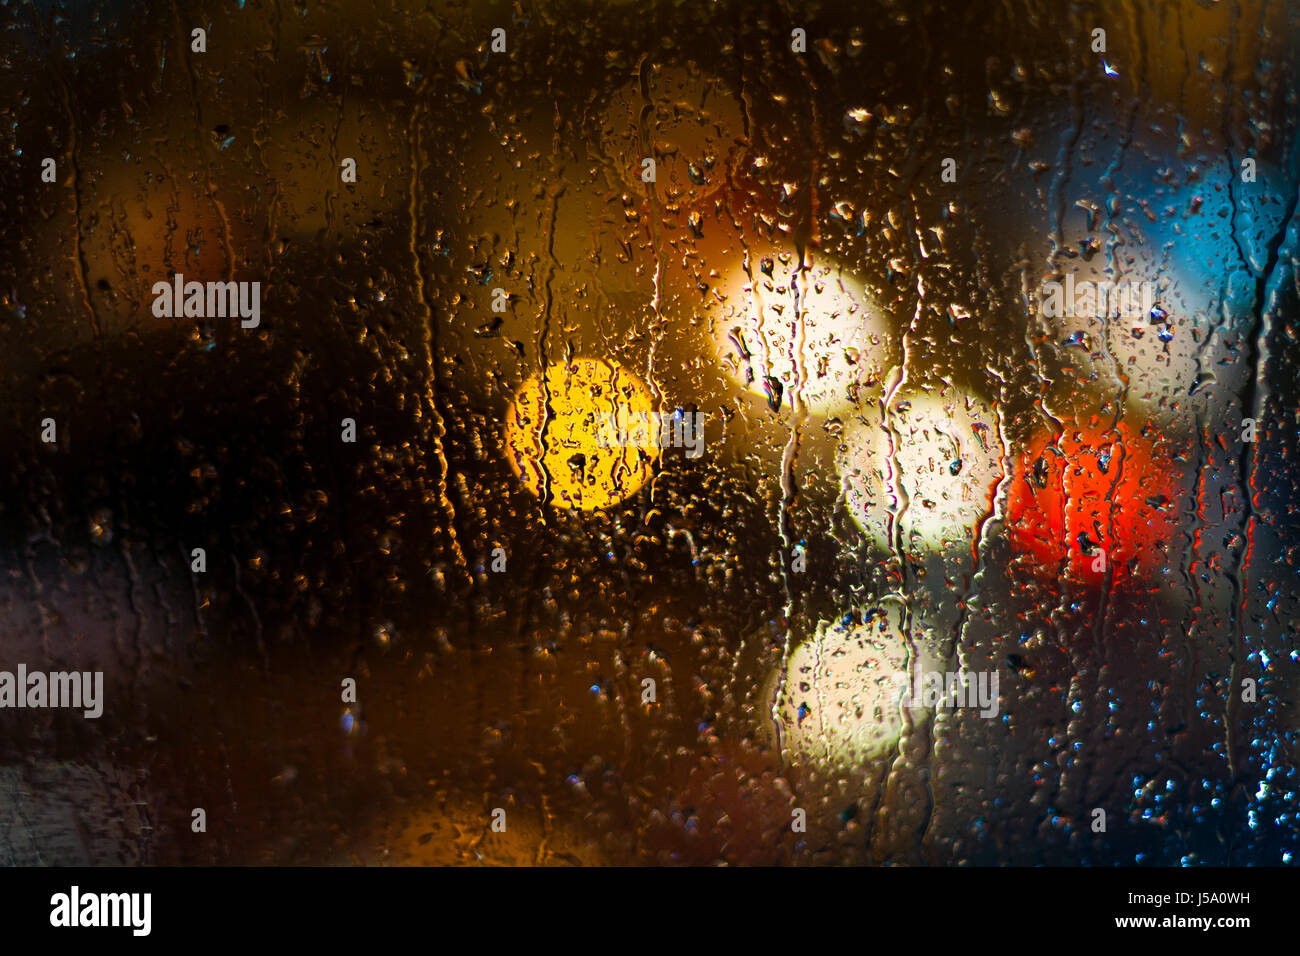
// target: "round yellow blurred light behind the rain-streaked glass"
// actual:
[[580, 438]]
